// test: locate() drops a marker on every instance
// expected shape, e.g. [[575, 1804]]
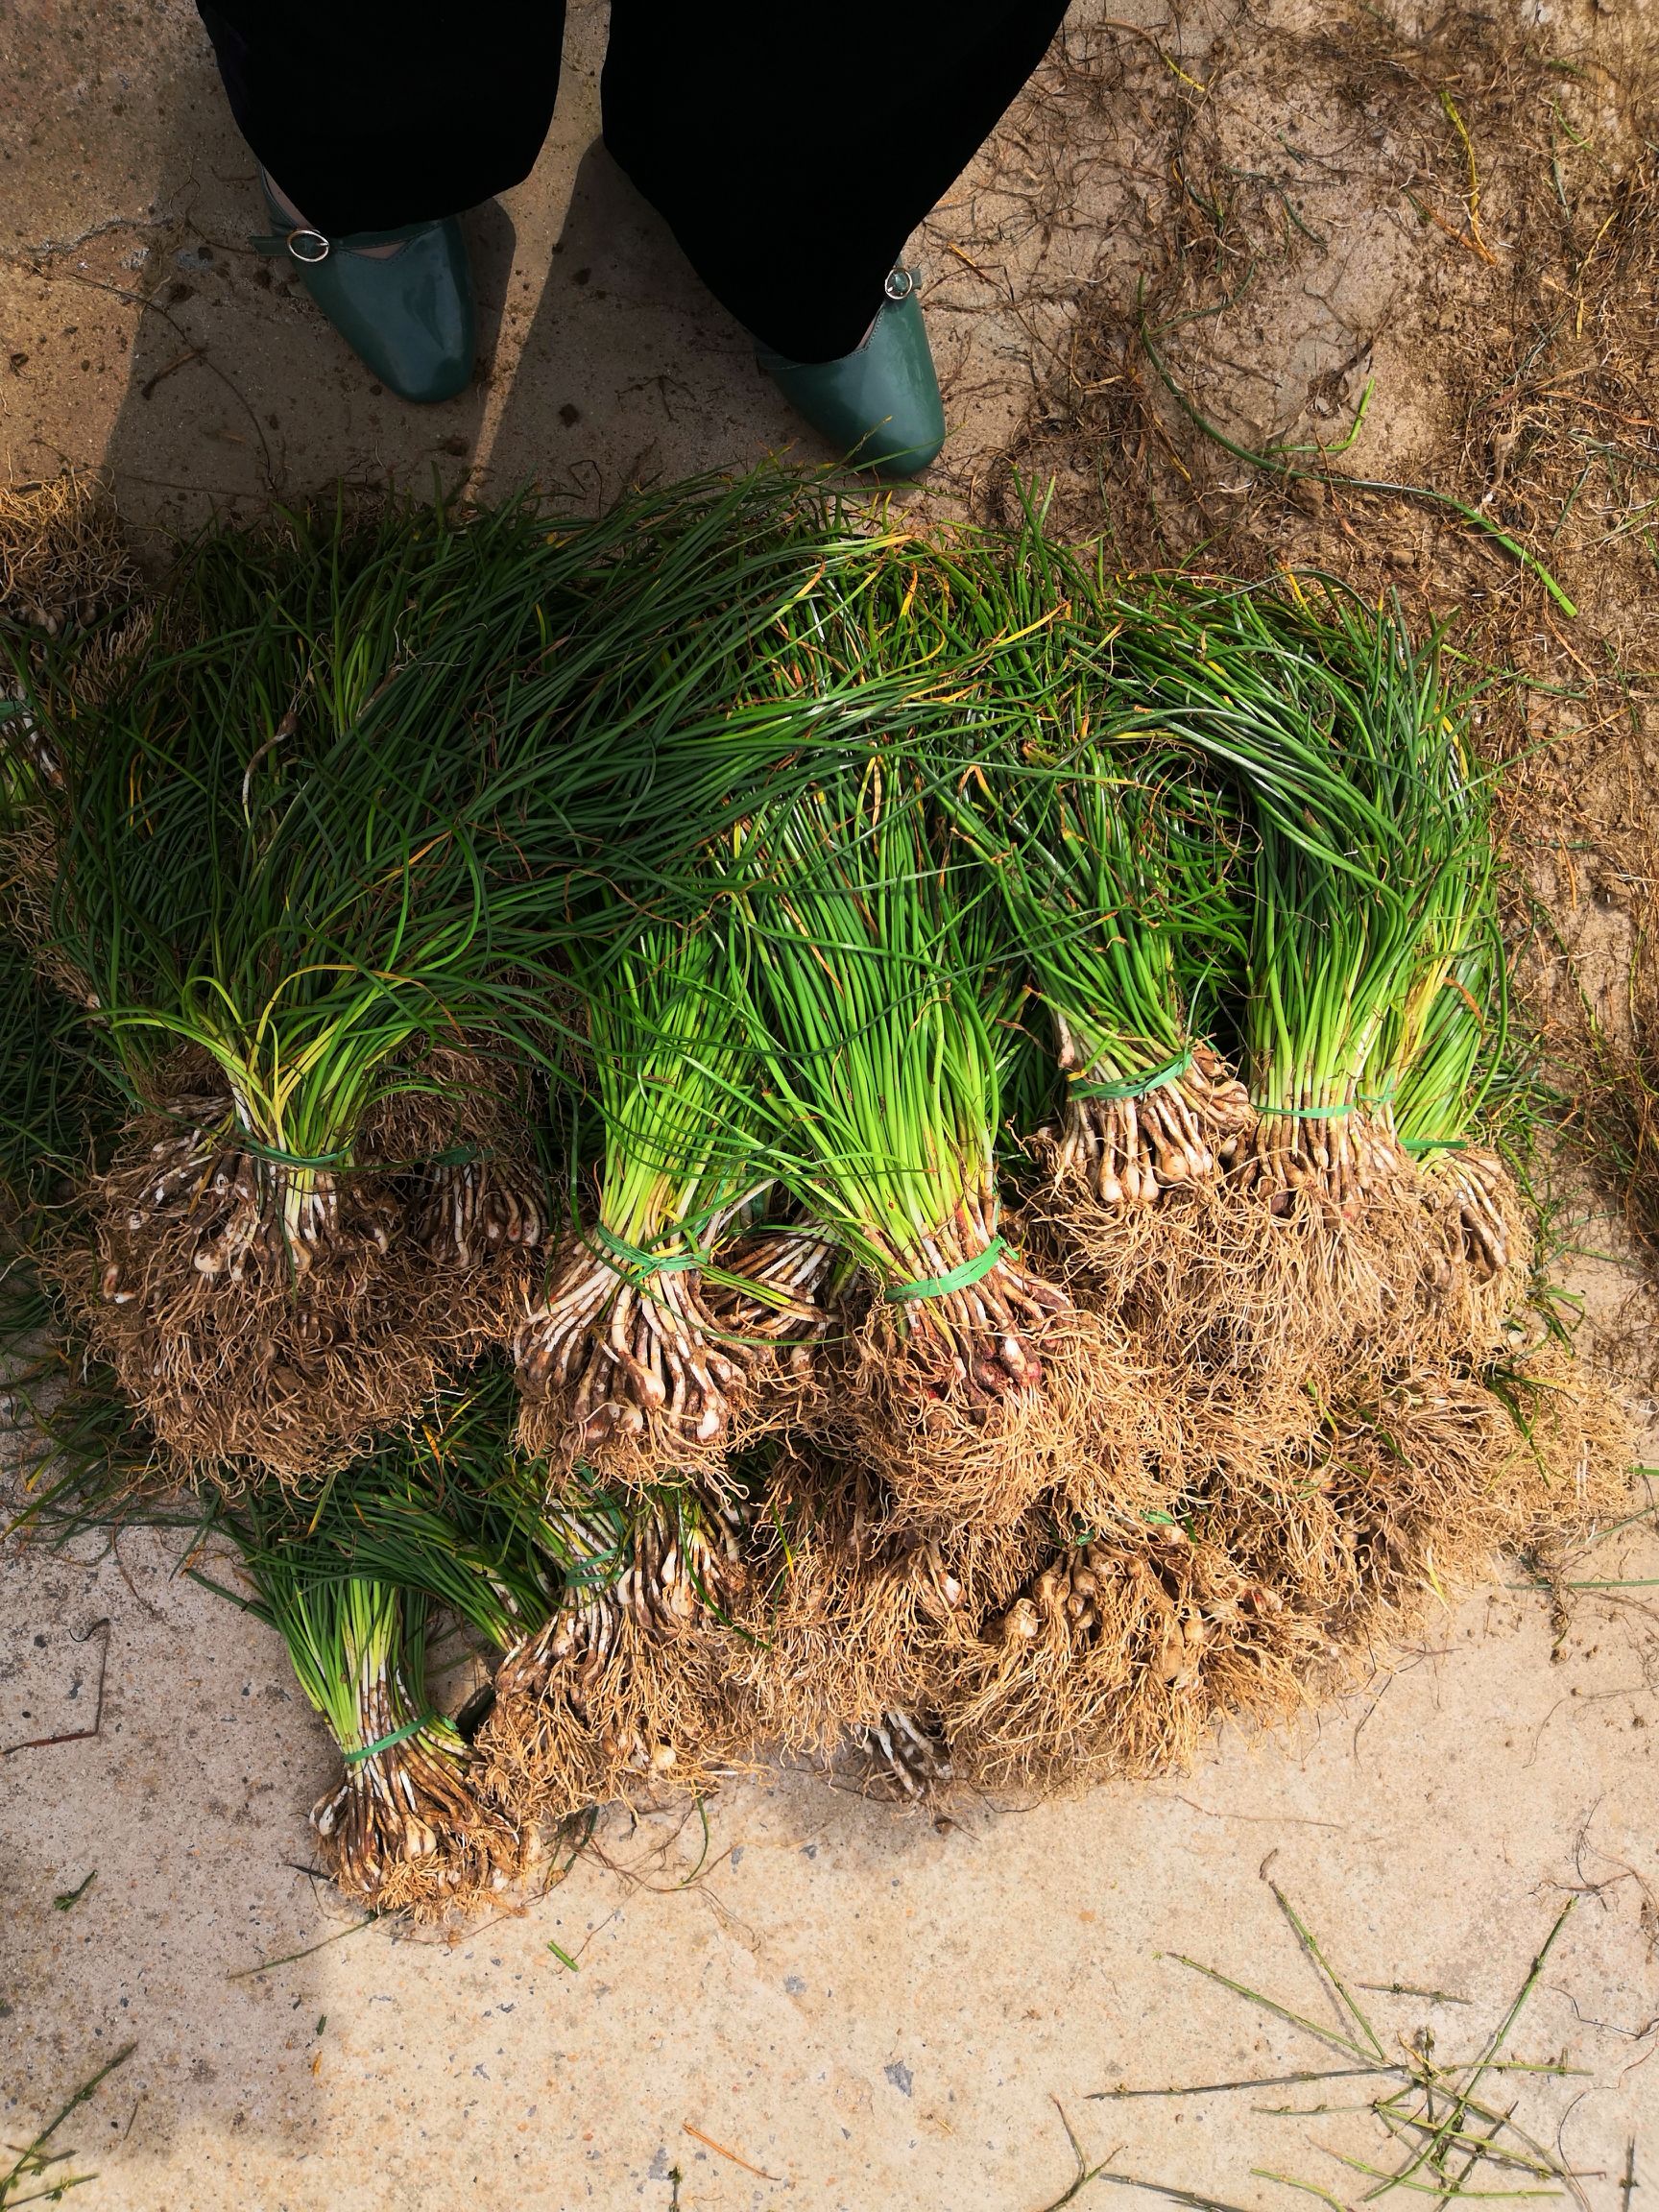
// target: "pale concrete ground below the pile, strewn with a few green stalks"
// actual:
[[842, 2005]]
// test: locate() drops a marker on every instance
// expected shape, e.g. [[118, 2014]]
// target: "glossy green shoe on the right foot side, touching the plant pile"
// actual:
[[879, 406]]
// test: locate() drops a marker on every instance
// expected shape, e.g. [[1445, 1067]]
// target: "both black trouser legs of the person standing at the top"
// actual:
[[791, 145]]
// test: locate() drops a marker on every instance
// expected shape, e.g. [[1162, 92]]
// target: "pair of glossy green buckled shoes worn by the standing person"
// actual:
[[408, 315]]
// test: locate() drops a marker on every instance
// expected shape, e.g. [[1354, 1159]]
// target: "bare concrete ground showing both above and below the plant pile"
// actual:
[[822, 2001]]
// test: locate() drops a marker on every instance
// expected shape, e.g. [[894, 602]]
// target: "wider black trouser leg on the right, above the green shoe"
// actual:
[[795, 145]]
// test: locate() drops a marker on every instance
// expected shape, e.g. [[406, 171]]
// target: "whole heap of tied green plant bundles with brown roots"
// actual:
[[826, 1142]]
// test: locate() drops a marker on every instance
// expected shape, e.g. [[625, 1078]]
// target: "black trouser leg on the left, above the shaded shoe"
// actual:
[[375, 114]]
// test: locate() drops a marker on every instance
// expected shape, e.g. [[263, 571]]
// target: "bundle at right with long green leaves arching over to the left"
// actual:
[[1370, 868]]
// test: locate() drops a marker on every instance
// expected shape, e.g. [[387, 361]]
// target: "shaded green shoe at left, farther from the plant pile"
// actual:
[[406, 315]]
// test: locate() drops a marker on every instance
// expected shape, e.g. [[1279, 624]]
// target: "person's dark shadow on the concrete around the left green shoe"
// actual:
[[601, 366]]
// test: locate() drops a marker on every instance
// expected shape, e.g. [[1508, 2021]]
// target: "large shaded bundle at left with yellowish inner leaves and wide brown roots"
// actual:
[[271, 897]]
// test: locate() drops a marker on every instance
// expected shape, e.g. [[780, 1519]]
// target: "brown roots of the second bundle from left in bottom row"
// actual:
[[627, 1693]]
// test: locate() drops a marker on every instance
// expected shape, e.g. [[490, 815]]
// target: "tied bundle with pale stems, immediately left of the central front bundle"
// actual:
[[623, 1359]]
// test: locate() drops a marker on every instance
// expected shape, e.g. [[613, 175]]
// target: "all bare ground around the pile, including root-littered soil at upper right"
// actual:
[[826, 1999]]
